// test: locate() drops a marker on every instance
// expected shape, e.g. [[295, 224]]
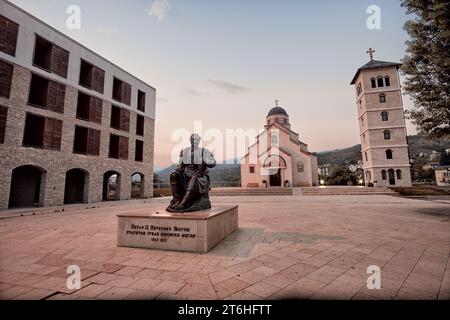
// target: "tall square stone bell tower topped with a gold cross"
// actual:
[[383, 134]]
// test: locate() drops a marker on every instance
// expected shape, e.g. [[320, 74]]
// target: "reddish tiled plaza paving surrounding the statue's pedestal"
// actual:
[[311, 247]]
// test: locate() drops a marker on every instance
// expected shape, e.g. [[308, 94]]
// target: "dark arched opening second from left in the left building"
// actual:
[[76, 186]]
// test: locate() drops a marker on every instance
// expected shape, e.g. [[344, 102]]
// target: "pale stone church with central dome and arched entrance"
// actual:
[[278, 158]]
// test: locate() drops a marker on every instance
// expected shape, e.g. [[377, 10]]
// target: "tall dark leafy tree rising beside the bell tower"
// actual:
[[427, 65]]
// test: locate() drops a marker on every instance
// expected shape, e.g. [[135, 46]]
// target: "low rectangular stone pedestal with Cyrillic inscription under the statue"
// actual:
[[194, 232]]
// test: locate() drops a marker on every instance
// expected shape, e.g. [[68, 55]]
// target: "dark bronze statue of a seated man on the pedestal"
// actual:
[[190, 182]]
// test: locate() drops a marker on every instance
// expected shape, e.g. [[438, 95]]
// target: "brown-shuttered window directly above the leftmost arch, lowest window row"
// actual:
[[42, 132]]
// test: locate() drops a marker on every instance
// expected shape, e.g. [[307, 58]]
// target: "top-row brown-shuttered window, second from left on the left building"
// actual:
[[50, 57]]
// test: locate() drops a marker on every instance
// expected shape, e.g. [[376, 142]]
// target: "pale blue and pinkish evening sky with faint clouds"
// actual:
[[225, 62]]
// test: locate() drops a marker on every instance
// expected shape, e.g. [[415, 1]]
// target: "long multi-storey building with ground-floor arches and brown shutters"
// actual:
[[74, 128]]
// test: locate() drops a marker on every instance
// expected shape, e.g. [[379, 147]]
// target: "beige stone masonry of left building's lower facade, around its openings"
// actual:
[[55, 164]]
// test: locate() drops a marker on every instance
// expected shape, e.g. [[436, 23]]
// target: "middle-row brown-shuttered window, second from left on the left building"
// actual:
[[47, 94]]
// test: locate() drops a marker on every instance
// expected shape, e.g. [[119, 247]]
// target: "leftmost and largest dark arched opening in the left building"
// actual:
[[26, 187]]
